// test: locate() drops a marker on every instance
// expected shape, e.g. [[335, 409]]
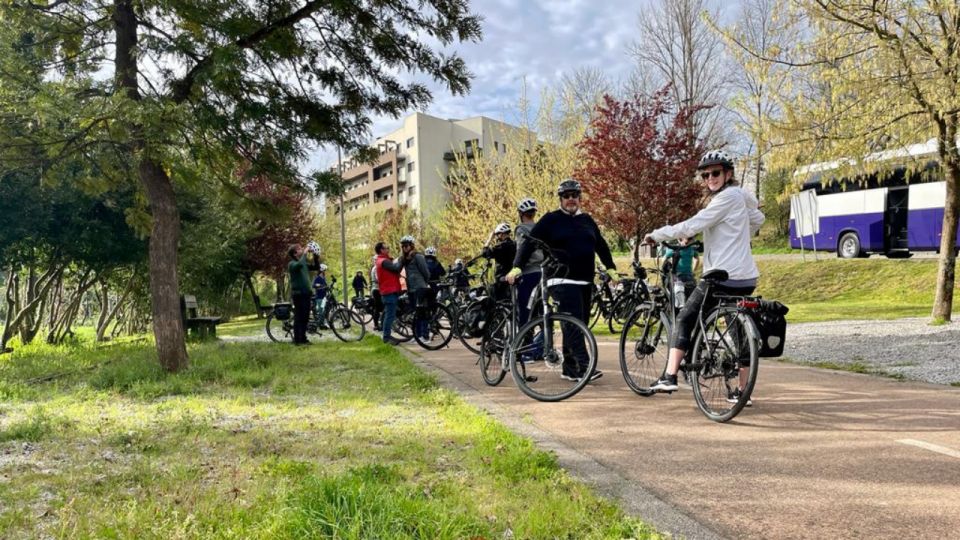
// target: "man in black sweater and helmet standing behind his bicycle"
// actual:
[[575, 240]]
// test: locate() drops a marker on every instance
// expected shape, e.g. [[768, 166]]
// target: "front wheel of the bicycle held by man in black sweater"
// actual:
[[553, 357]]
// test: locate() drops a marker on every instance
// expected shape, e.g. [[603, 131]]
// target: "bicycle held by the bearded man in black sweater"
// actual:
[[537, 354]]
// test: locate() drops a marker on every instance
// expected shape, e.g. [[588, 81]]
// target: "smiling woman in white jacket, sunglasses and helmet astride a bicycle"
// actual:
[[727, 222]]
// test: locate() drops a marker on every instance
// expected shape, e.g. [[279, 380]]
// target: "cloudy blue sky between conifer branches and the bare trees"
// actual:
[[537, 39]]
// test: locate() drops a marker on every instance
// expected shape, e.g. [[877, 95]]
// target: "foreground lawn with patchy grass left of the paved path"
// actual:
[[258, 440]]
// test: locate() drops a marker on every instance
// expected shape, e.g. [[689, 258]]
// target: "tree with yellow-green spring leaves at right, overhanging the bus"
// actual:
[[872, 76]]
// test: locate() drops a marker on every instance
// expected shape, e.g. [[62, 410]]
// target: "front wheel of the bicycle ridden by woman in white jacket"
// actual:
[[644, 346]]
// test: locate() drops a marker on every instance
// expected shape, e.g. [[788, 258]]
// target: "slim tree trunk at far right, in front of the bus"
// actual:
[[946, 268]]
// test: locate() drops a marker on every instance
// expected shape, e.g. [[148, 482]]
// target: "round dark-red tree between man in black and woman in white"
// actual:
[[639, 160]]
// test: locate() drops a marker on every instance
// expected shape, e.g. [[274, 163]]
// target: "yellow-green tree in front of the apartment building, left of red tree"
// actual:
[[485, 190]]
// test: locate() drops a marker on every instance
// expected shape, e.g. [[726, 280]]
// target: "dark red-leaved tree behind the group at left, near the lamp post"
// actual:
[[285, 218]]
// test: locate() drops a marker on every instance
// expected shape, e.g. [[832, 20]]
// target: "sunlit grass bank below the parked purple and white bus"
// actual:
[[835, 289]]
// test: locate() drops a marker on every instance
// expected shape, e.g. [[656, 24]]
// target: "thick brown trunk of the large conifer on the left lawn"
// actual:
[[165, 300]]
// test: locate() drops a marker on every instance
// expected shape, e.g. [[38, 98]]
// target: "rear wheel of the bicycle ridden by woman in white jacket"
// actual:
[[728, 344]]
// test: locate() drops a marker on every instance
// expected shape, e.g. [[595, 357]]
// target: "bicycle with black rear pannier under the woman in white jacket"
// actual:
[[725, 339]]
